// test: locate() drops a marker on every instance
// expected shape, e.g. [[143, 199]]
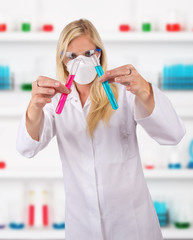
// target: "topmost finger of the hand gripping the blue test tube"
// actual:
[[123, 70]]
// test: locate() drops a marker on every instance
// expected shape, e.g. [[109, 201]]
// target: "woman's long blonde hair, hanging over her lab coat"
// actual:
[[100, 107]]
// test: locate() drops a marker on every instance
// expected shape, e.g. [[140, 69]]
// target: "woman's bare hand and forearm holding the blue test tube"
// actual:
[[128, 76]]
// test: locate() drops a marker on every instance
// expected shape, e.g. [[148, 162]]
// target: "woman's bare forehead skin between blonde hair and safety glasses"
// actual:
[[79, 46]]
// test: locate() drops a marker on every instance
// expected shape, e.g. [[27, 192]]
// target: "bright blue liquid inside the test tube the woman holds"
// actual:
[[107, 88]]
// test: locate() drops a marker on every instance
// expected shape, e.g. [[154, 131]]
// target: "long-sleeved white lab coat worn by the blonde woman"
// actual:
[[106, 193]]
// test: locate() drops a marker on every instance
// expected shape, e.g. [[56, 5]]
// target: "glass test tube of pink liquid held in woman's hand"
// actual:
[[68, 84]]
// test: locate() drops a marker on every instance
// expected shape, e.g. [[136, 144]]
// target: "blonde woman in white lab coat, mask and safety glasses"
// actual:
[[106, 194]]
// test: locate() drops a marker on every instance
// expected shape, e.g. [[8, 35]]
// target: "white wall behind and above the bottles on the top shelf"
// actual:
[[105, 14]]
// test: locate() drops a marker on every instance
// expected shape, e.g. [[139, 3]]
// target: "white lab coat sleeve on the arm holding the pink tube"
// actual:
[[29, 147]]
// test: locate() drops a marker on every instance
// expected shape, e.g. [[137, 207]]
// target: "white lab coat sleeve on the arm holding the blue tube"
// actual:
[[163, 124]]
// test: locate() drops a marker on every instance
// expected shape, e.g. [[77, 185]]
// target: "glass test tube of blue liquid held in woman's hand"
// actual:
[[105, 84]]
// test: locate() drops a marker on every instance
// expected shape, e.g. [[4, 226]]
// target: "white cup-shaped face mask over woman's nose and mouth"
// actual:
[[86, 72]]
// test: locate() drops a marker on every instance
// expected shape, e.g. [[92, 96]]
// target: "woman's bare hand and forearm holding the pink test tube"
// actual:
[[43, 90]]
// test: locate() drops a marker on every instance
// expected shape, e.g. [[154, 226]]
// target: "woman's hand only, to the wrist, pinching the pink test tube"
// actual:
[[44, 89]]
